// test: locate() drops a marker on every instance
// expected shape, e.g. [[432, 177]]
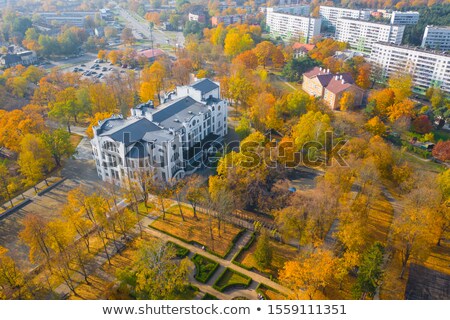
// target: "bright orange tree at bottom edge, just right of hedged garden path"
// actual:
[[309, 274]]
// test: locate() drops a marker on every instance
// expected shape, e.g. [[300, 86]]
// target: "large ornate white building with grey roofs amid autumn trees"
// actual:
[[167, 140]]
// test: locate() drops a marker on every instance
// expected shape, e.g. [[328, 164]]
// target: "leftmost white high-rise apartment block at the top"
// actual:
[[289, 26]]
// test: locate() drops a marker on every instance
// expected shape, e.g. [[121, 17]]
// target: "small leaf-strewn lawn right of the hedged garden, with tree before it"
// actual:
[[281, 253]]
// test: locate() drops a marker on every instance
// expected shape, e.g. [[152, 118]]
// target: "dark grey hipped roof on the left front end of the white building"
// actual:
[[128, 131]]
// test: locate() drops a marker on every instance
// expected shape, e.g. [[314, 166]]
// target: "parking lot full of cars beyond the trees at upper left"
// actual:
[[99, 69]]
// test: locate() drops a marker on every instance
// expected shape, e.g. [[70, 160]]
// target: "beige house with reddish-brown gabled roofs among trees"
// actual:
[[320, 82]]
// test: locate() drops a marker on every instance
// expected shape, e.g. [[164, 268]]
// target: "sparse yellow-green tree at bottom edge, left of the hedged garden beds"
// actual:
[[155, 273]]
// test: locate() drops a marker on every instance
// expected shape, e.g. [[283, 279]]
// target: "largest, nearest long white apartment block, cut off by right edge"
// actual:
[[428, 68]]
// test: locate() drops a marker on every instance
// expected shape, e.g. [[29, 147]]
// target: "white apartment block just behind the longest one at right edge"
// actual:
[[363, 34]]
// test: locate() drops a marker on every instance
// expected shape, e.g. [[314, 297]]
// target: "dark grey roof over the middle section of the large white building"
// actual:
[[178, 111]]
